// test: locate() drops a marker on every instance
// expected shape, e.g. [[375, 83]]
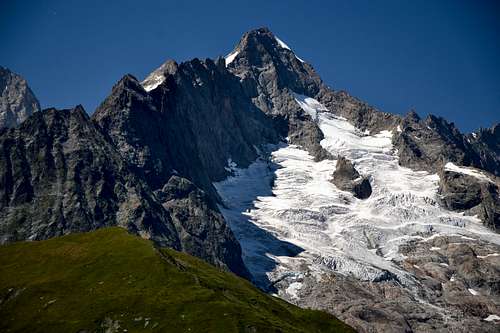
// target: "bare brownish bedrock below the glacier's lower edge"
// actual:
[[457, 283]]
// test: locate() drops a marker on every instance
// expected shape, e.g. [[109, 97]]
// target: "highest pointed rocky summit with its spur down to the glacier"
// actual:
[[271, 75]]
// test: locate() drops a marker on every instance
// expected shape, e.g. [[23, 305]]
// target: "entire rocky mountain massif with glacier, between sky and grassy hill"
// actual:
[[253, 164]]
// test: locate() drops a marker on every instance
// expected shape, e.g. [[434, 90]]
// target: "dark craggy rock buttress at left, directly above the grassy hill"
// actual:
[[59, 175]]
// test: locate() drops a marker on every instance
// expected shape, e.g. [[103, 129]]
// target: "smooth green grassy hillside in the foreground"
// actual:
[[111, 281]]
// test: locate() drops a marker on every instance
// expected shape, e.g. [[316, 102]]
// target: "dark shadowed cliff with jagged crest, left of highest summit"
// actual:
[[192, 124]]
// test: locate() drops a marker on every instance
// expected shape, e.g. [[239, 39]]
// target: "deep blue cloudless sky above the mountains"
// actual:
[[440, 57]]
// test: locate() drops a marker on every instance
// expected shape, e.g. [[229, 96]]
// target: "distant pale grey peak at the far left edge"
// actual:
[[17, 101]]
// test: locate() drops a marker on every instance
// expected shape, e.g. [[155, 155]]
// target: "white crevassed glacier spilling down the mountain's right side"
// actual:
[[292, 221]]
